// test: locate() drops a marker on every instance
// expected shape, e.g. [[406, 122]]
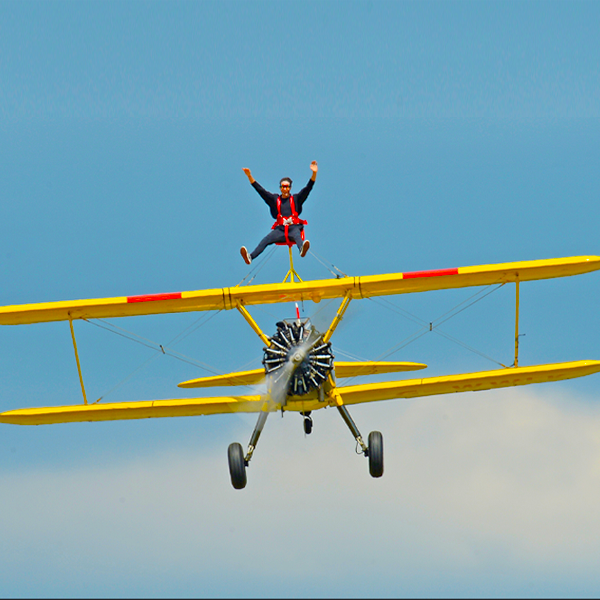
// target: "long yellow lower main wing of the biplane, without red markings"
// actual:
[[483, 380]]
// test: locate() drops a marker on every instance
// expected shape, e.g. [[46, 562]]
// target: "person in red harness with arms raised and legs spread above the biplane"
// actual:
[[285, 209]]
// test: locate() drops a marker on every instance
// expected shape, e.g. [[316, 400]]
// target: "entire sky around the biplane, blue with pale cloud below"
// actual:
[[447, 134]]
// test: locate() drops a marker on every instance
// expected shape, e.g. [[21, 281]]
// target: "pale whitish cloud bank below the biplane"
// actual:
[[508, 480]]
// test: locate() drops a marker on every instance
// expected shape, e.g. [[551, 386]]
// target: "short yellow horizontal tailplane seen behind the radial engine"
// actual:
[[342, 369]]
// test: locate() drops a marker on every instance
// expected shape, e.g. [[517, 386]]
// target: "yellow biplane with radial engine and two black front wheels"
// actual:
[[300, 369]]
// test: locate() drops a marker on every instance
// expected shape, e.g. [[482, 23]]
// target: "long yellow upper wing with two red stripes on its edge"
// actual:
[[317, 290]]
